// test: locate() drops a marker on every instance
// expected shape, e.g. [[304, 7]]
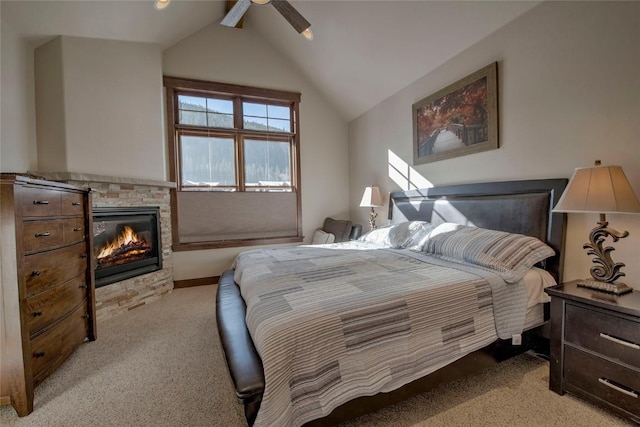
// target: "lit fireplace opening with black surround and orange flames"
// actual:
[[126, 243]]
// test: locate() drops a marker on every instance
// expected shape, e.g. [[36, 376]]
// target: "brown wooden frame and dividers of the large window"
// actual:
[[175, 86]]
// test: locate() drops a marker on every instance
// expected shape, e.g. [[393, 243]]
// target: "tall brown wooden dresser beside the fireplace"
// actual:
[[48, 292]]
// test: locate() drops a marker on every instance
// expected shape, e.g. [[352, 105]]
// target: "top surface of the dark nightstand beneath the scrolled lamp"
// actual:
[[627, 304]]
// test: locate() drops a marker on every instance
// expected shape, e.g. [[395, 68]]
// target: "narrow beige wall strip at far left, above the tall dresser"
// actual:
[[17, 111]]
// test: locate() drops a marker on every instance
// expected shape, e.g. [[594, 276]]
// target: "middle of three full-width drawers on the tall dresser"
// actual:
[[47, 307]]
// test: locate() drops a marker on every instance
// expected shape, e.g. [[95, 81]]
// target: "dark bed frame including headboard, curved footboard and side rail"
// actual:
[[523, 207]]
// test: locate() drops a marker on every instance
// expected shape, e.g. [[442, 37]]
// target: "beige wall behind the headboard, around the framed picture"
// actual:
[[569, 94]]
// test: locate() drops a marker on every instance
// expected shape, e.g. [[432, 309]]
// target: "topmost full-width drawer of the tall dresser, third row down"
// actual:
[[48, 269]]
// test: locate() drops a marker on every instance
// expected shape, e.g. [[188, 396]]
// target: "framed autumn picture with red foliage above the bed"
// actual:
[[458, 120]]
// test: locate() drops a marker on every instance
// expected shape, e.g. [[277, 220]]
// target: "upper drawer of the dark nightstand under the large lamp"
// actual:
[[606, 334]]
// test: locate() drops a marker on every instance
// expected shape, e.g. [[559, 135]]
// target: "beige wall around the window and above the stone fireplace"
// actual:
[[107, 101]]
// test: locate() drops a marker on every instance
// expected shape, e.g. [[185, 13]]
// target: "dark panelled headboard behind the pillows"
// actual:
[[522, 207]]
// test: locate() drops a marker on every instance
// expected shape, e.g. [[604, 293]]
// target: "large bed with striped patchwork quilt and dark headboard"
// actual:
[[317, 335]]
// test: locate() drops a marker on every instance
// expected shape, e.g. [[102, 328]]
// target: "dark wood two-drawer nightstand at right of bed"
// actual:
[[595, 347]]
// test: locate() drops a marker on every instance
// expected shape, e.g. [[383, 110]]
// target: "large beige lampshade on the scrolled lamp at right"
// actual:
[[599, 189]]
